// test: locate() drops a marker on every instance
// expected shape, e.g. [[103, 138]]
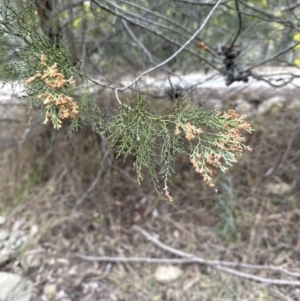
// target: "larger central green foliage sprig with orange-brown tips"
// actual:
[[212, 140]]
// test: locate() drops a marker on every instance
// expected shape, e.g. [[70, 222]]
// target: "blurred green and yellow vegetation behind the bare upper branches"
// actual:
[[117, 37]]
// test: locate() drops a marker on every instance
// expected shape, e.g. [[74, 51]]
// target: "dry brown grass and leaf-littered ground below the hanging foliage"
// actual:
[[48, 187]]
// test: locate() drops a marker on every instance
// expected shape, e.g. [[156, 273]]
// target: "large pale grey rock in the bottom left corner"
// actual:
[[13, 287]]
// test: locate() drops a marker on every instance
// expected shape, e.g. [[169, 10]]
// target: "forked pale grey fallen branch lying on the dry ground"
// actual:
[[224, 266]]
